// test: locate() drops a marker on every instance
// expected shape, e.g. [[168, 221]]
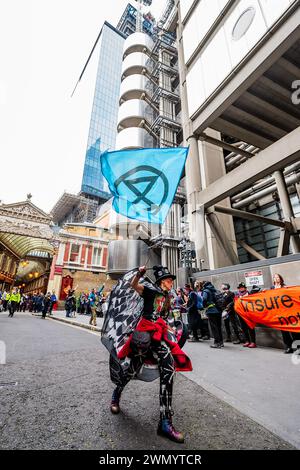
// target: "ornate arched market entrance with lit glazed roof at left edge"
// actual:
[[27, 244]]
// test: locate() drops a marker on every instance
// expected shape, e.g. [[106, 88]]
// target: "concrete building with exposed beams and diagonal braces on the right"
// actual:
[[239, 68]]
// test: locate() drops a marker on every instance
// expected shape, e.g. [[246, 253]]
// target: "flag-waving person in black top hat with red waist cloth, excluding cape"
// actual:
[[152, 335]]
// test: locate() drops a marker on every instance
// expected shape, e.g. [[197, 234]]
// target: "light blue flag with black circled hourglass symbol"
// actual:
[[144, 181]]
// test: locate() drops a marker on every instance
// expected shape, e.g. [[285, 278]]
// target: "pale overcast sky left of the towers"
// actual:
[[43, 132]]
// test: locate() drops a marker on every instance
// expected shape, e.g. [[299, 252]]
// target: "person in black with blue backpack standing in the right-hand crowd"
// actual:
[[214, 314]]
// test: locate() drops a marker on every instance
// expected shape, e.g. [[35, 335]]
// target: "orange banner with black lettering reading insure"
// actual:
[[276, 308]]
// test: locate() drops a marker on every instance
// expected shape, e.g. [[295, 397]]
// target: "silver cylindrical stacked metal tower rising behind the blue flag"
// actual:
[[148, 117]]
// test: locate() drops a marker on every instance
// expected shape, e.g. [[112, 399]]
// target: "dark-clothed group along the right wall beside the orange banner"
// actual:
[[206, 310]]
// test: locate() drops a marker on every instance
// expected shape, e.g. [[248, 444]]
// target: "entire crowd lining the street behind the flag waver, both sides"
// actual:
[[203, 308]]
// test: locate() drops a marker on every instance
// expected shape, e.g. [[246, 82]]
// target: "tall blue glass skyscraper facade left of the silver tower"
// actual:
[[103, 124]]
